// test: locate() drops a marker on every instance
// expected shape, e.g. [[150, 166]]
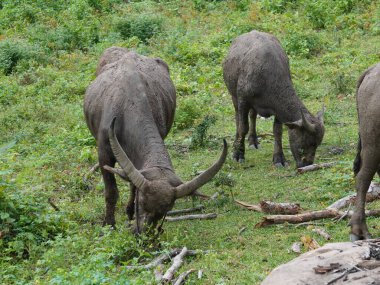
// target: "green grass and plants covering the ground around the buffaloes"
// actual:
[[48, 56]]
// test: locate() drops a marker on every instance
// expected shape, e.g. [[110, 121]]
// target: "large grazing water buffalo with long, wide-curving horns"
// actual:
[[129, 109]]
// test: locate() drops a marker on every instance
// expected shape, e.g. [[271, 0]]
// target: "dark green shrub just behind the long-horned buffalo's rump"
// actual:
[[143, 27]]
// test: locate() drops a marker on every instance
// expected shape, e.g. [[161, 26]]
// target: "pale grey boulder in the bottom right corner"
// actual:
[[333, 264]]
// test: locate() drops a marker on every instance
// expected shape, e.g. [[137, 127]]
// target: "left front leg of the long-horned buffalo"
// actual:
[[111, 192]]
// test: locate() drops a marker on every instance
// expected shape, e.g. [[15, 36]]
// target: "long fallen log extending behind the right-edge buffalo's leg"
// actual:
[[310, 216]]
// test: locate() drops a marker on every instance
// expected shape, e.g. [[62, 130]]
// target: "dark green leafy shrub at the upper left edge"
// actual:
[[14, 52]]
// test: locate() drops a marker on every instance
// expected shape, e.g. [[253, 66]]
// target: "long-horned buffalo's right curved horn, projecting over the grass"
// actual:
[[189, 187]]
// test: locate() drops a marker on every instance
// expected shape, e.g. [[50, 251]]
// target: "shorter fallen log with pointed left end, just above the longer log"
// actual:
[[272, 207]]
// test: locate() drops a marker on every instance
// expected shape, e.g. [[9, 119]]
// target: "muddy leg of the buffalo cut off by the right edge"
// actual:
[[370, 164]]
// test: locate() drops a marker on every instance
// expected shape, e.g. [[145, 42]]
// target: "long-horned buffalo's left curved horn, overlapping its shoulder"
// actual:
[[134, 175]]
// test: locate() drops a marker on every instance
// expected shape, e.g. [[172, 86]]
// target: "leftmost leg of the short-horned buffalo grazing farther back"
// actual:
[[241, 116]]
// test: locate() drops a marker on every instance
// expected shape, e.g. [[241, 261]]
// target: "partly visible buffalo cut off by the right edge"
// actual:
[[367, 161]]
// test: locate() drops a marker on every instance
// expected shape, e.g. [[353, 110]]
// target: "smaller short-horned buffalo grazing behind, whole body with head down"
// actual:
[[256, 72]]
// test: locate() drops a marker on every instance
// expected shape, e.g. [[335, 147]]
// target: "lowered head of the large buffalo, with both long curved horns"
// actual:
[[157, 188]]
